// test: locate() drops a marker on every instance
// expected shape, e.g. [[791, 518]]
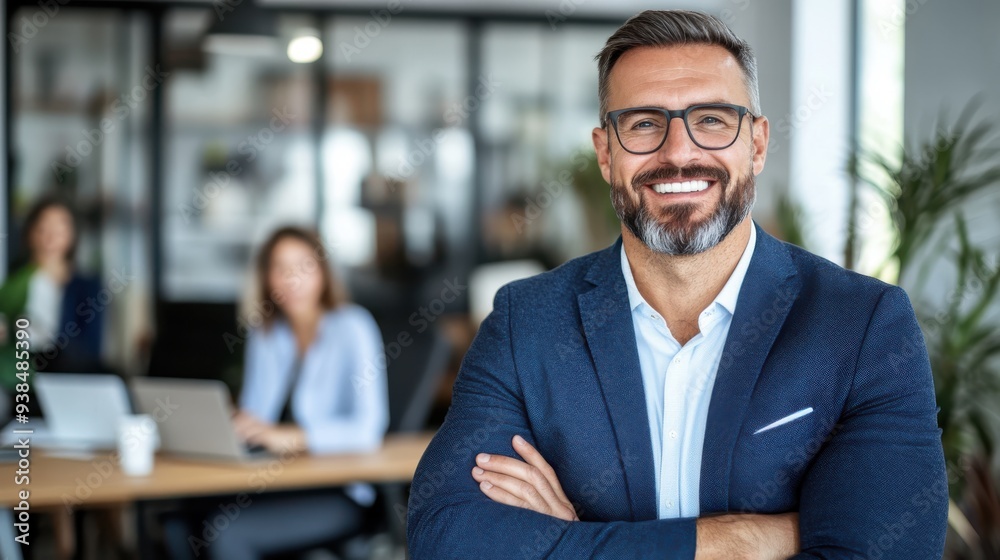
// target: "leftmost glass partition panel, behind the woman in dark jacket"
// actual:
[[81, 92]]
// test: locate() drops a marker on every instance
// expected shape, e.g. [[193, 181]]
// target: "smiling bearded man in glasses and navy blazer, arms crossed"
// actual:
[[699, 389]]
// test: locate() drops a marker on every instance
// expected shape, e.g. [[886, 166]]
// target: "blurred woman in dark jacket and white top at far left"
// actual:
[[61, 304]]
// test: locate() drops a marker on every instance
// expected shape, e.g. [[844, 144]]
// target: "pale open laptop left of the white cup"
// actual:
[[82, 411]]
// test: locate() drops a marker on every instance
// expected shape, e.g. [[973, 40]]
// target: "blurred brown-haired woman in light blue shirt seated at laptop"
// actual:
[[314, 375]]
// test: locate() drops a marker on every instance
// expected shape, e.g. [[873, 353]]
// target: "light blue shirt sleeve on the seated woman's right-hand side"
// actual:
[[366, 421]]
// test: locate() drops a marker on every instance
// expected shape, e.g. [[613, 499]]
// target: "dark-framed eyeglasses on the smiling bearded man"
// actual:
[[711, 126]]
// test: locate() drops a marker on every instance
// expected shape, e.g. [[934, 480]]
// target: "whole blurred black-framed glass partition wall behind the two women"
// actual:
[[419, 145]]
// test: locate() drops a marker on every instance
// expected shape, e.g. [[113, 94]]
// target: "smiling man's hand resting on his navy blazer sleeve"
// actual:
[[529, 484]]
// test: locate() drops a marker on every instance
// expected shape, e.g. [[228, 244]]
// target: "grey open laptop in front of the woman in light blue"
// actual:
[[194, 417]]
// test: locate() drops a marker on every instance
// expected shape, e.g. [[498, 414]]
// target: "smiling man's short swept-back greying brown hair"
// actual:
[[667, 28]]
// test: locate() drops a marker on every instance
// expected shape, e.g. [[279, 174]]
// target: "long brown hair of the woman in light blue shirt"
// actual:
[[333, 294]]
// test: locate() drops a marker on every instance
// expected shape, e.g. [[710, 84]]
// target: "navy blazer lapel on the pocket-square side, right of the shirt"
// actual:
[[768, 292]]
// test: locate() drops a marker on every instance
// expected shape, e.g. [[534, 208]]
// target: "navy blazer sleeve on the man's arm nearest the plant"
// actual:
[[879, 488]]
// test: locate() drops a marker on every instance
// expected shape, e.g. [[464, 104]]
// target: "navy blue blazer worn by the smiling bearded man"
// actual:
[[556, 362]]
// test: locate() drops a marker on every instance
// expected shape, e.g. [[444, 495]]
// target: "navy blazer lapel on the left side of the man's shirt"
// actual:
[[607, 325]]
